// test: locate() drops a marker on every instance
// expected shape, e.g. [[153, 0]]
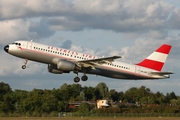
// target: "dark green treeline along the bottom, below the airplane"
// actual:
[[38, 101]]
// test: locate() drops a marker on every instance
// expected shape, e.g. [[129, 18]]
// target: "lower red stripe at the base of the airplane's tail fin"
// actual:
[[155, 65]]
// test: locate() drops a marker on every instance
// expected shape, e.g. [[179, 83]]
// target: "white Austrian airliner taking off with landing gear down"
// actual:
[[60, 60]]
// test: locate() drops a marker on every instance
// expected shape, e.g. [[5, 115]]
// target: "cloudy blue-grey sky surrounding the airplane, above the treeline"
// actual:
[[132, 29]]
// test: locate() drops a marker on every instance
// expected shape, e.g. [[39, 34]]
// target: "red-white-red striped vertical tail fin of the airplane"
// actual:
[[157, 59]]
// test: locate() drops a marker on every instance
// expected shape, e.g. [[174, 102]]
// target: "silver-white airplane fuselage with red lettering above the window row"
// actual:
[[45, 54]]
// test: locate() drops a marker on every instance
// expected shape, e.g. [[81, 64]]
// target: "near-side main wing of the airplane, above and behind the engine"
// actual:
[[99, 61]]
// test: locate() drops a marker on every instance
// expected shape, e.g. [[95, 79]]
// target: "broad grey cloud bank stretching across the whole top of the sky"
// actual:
[[76, 15]]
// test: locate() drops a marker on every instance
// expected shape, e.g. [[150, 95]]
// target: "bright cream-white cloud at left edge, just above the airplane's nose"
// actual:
[[22, 29]]
